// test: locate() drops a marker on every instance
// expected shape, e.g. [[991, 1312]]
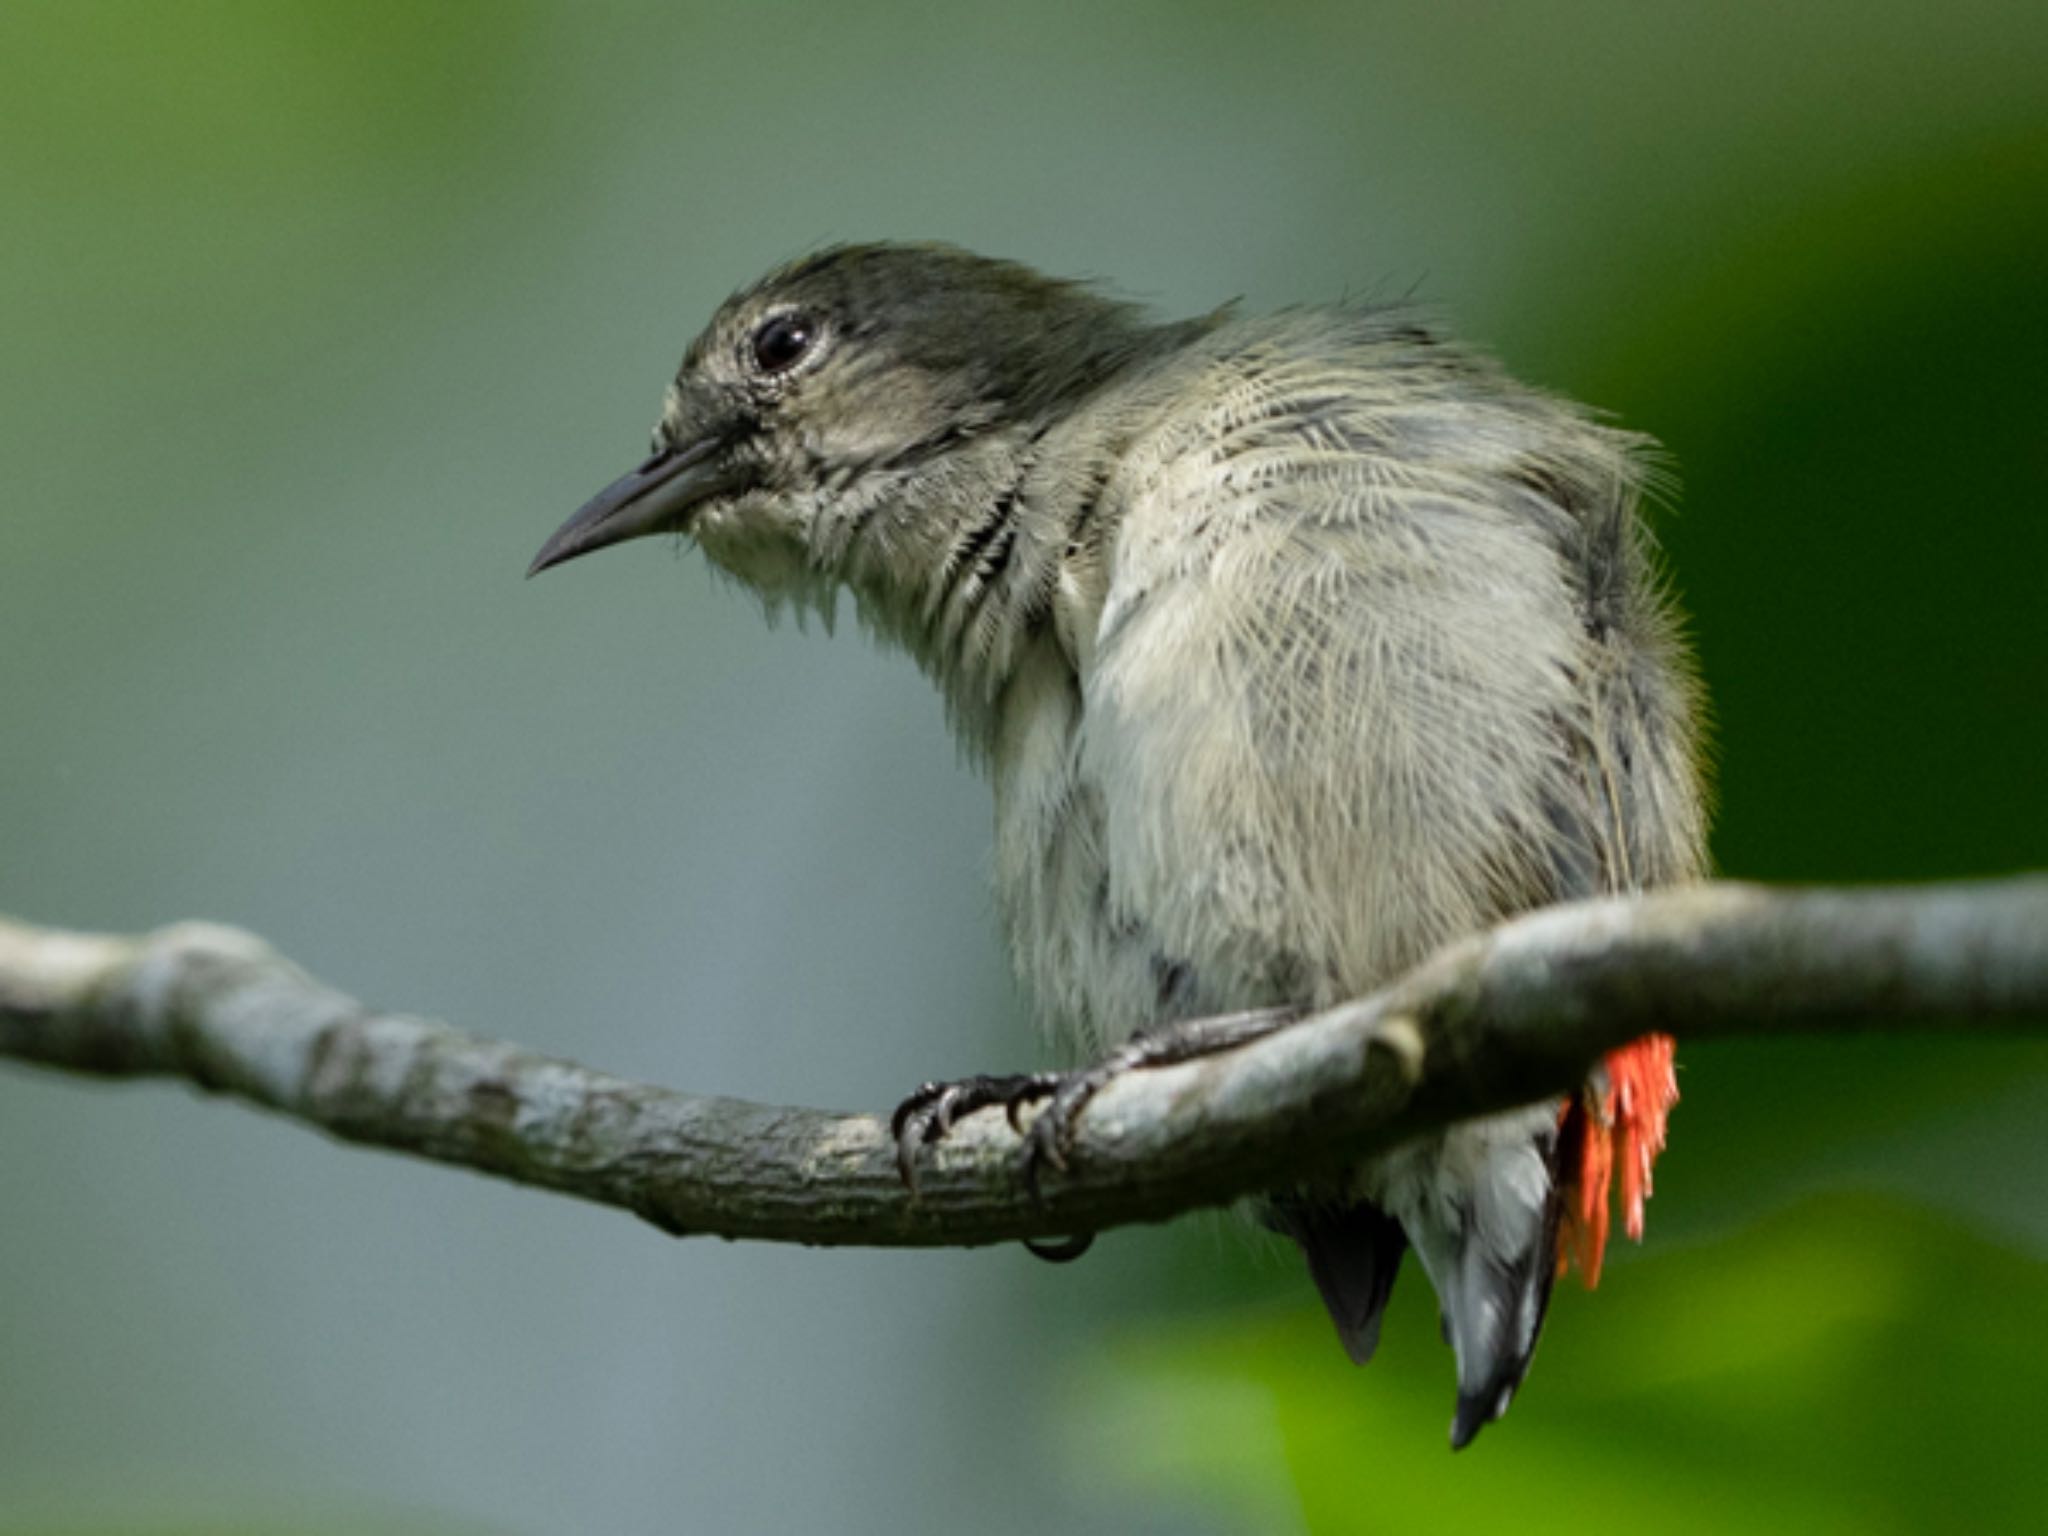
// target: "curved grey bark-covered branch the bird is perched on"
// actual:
[[1502, 1019]]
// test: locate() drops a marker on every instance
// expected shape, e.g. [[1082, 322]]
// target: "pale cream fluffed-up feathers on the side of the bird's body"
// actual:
[[1338, 699]]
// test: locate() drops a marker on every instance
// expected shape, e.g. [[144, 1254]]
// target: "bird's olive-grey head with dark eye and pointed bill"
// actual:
[[865, 380]]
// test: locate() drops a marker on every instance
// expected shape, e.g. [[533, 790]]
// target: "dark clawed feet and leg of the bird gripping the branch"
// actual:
[[929, 1115]]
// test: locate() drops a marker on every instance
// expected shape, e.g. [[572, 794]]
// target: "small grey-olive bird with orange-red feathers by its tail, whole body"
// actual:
[[1293, 646]]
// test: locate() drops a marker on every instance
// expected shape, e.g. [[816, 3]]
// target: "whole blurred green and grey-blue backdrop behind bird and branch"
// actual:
[[318, 318]]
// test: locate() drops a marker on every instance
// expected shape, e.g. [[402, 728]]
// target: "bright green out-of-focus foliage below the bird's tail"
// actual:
[[1844, 1367]]
